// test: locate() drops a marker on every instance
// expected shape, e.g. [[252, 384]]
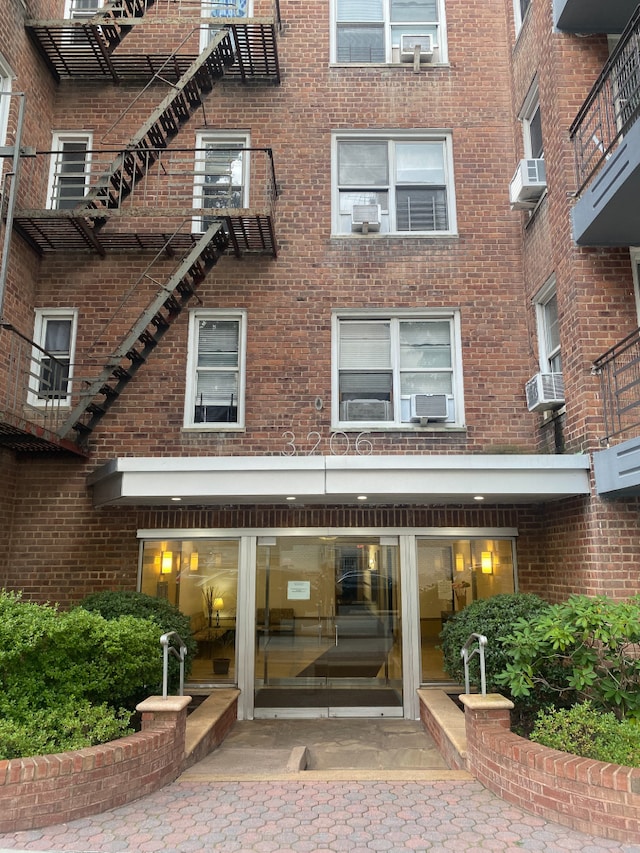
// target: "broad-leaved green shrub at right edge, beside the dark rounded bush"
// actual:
[[587, 647]]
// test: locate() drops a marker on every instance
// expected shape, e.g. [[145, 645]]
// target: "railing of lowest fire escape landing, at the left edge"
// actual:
[[37, 388]]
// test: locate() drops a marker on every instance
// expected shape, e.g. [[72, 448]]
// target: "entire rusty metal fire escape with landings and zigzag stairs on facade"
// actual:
[[107, 219]]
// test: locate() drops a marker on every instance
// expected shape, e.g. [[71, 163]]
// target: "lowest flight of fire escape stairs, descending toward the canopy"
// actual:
[[132, 353]]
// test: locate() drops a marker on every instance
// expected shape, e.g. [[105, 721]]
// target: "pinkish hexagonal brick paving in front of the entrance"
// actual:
[[303, 816]]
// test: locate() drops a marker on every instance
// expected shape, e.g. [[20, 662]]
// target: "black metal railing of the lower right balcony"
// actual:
[[619, 372]]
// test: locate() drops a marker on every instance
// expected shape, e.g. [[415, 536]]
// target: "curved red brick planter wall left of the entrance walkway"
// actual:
[[48, 789]]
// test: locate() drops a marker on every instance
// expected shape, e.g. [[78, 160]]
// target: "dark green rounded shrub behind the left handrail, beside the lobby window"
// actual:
[[111, 605]]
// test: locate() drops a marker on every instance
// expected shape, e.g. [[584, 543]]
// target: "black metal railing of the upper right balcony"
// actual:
[[611, 108]]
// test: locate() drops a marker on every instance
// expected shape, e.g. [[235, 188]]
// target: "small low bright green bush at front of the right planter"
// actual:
[[588, 732]]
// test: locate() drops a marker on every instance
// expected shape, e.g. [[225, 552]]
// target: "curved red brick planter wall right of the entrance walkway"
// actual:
[[591, 796]]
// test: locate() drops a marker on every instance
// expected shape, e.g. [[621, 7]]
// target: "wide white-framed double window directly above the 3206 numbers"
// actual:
[[382, 363]]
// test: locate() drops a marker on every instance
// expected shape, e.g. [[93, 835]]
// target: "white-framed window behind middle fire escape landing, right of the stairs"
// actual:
[[221, 179]]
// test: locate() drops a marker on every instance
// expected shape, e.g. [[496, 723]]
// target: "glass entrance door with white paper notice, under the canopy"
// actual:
[[328, 630]]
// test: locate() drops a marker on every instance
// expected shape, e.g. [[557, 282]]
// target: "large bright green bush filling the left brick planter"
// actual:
[[64, 675]]
